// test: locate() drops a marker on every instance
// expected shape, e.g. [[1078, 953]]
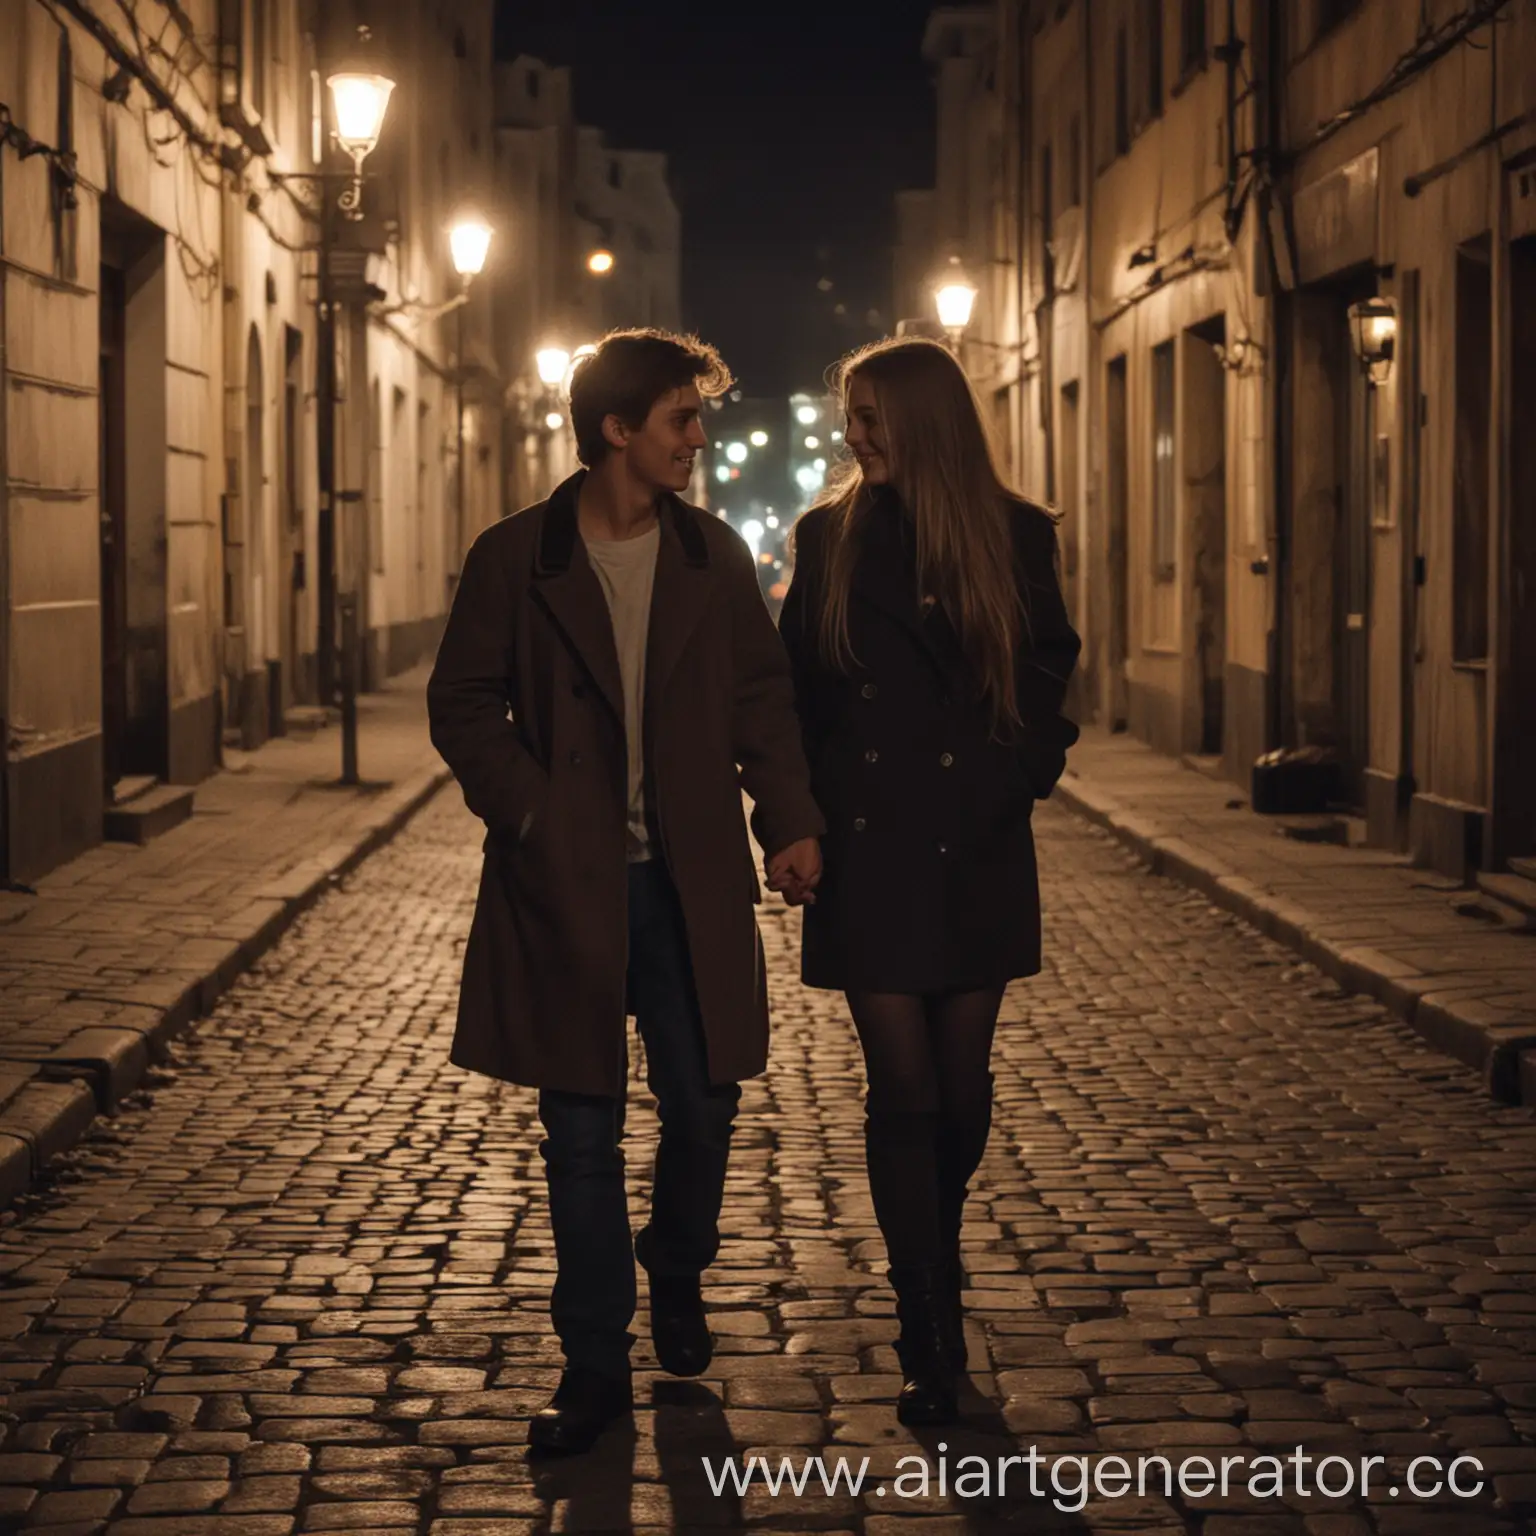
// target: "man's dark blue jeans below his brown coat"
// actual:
[[595, 1291]]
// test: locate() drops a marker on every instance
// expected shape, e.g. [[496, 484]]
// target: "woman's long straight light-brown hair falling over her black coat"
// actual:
[[941, 465]]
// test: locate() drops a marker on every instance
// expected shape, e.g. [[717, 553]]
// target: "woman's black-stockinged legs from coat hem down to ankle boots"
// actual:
[[930, 1110]]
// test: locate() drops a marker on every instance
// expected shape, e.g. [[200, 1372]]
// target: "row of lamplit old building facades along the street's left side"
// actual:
[[165, 543]]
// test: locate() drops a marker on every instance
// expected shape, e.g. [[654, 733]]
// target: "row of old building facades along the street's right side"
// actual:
[[1266, 543]]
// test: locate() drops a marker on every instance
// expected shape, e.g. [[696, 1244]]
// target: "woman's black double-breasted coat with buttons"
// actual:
[[930, 864]]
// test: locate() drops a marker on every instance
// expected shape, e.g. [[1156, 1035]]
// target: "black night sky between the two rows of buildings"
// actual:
[[789, 127]]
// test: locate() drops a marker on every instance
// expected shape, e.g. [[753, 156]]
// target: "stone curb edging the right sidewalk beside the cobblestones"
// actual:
[[1486, 1039]]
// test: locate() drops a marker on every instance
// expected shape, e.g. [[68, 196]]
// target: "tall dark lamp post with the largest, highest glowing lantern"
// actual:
[[359, 105]]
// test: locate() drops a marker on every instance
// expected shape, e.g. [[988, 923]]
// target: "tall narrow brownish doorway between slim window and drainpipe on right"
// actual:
[[1205, 466]]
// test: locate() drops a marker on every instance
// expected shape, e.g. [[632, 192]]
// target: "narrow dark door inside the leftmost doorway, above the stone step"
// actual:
[[111, 483]]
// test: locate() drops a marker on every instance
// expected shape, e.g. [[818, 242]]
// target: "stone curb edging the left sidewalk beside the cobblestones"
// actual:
[[125, 1030]]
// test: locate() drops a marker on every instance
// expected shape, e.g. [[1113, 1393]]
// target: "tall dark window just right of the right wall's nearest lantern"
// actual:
[[1474, 412]]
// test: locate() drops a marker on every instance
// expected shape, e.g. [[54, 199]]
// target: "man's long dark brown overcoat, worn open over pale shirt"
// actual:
[[528, 709]]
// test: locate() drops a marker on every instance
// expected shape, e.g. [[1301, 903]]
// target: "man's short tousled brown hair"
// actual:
[[632, 371]]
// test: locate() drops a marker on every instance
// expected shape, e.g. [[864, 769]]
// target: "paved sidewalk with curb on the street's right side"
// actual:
[[1365, 918]]
